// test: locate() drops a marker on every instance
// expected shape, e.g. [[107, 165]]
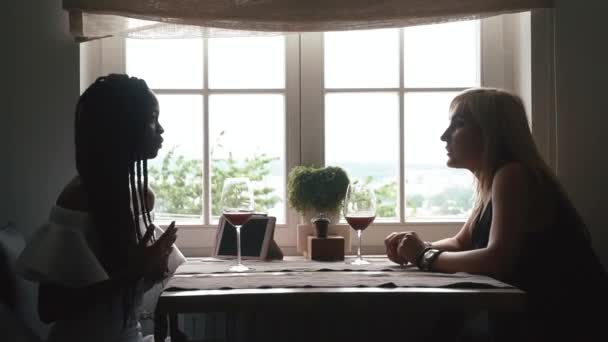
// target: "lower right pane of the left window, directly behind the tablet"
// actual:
[[247, 138]]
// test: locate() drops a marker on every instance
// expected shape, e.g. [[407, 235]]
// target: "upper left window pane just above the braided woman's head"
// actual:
[[166, 63]]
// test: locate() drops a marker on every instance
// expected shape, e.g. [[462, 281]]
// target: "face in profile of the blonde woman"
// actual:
[[463, 141]]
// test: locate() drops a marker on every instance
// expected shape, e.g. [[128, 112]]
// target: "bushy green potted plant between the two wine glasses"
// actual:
[[317, 190]]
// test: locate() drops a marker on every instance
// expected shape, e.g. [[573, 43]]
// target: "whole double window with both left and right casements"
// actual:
[[373, 102]]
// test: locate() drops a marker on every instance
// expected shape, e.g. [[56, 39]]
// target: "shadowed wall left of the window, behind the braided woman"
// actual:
[[43, 86]]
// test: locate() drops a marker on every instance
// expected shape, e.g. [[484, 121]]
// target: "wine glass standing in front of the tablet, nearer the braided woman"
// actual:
[[237, 205]]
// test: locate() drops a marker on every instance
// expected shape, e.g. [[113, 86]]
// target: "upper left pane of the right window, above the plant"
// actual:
[[362, 59]]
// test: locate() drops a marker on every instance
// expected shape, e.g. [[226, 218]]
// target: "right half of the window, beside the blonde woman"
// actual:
[[384, 85]]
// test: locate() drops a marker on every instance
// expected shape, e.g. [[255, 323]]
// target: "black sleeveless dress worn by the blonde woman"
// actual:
[[567, 293]]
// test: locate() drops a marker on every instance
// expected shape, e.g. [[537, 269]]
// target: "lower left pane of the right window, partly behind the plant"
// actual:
[[362, 136]]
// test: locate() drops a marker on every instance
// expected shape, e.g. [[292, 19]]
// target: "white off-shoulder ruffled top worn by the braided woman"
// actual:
[[64, 251]]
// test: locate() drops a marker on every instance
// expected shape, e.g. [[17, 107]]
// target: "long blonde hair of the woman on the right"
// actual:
[[506, 136]]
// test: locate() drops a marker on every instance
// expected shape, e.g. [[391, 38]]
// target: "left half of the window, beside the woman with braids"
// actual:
[[223, 108]]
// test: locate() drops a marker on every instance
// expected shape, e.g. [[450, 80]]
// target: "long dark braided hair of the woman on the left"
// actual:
[[110, 127]]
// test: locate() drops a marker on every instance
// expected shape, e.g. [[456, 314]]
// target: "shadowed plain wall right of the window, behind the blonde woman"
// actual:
[[582, 114]]
